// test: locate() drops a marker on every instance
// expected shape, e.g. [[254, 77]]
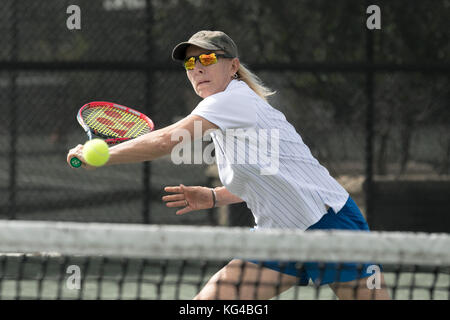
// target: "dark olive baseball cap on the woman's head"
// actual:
[[206, 39]]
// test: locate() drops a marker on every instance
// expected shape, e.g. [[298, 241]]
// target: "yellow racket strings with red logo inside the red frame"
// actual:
[[115, 123]]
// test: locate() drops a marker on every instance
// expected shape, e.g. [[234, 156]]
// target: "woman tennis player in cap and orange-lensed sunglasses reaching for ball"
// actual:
[[296, 193]]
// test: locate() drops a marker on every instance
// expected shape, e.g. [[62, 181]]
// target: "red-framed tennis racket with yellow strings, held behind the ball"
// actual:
[[111, 122]]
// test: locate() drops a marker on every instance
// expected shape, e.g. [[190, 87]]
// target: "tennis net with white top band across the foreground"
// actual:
[[63, 260]]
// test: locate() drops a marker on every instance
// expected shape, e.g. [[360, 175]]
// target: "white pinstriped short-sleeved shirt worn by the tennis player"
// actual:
[[263, 160]]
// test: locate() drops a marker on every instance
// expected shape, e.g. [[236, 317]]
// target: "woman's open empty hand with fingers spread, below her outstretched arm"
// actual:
[[190, 198]]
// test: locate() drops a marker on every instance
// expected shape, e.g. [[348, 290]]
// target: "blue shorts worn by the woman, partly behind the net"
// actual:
[[348, 218]]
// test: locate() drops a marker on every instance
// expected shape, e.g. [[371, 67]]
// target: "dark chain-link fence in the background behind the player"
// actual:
[[371, 104]]
